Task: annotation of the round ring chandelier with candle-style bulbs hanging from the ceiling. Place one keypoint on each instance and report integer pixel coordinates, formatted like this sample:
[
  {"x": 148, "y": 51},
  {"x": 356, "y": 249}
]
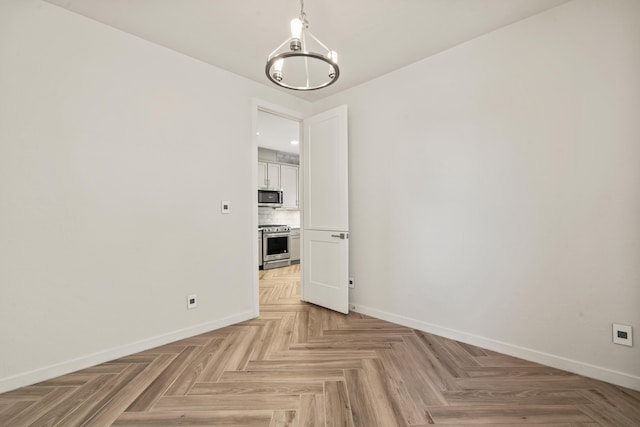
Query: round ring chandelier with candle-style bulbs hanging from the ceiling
[{"x": 296, "y": 63}]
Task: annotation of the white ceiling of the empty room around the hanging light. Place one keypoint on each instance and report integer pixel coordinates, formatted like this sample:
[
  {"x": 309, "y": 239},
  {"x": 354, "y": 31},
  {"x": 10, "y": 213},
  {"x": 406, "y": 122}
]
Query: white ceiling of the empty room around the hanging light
[{"x": 372, "y": 37}]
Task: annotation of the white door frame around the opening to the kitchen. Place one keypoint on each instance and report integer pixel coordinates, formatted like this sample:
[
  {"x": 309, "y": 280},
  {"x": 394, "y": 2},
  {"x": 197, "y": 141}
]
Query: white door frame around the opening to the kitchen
[{"x": 287, "y": 113}]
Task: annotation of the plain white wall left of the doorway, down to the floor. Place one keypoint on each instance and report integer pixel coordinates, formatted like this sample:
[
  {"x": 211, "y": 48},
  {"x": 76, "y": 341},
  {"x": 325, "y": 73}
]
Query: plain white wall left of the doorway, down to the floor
[{"x": 114, "y": 156}]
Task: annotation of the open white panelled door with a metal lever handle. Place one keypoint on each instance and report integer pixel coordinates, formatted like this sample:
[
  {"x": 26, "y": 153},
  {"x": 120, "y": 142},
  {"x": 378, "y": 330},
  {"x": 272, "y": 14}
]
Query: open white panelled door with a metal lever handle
[{"x": 325, "y": 233}]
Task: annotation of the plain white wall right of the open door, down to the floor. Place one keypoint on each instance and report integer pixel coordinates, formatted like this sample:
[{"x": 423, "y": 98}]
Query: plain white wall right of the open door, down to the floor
[{"x": 495, "y": 190}]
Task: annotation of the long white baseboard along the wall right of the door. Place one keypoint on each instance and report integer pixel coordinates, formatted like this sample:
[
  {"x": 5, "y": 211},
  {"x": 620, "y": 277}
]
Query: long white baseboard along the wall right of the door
[{"x": 574, "y": 366}]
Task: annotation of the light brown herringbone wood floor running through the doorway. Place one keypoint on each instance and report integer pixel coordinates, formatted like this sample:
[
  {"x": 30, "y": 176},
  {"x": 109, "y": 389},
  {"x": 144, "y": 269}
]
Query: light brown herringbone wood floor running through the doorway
[{"x": 301, "y": 365}]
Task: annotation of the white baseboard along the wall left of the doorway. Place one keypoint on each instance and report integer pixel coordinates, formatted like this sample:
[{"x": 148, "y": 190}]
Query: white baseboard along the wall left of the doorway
[{"x": 82, "y": 362}]
